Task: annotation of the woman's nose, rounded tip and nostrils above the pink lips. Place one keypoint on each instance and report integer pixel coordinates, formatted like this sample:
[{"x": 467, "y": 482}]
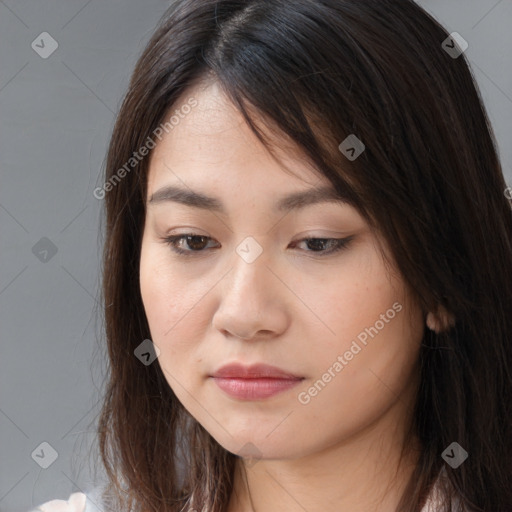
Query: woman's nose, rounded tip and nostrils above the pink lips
[{"x": 253, "y": 302}]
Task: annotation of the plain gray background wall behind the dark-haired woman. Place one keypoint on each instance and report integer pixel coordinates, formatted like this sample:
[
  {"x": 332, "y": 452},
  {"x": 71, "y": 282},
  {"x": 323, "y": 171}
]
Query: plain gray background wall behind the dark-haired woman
[{"x": 56, "y": 116}]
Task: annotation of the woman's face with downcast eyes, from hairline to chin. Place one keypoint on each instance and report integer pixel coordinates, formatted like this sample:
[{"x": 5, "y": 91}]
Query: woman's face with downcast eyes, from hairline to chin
[{"x": 254, "y": 290}]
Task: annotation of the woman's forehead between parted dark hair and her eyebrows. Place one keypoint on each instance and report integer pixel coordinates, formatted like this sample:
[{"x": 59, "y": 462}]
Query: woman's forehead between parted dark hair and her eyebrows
[{"x": 213, "y": 142}]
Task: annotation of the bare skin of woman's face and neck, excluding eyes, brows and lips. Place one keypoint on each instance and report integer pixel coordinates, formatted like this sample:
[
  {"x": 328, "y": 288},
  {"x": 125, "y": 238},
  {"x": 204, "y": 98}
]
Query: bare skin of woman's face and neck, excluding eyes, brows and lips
[{"x": 291, "y": 308}]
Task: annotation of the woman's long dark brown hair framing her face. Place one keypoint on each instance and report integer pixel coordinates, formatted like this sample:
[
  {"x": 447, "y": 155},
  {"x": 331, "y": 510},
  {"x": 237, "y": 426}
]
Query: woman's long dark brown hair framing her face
[{"x": 429, "y": 180}]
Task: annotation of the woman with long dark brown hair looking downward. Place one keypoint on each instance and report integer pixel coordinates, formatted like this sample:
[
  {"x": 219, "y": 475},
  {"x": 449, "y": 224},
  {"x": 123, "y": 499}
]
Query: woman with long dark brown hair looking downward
[{"x": 307, "y": 266}]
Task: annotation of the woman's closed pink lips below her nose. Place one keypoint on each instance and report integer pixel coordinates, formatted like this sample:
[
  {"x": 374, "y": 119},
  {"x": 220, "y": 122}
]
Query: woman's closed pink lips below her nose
[{"x": 254, "y": 382}]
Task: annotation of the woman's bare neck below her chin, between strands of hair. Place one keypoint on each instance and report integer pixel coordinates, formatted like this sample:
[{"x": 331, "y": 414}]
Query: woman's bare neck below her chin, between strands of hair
[{"x": 356, "y": 475}]
